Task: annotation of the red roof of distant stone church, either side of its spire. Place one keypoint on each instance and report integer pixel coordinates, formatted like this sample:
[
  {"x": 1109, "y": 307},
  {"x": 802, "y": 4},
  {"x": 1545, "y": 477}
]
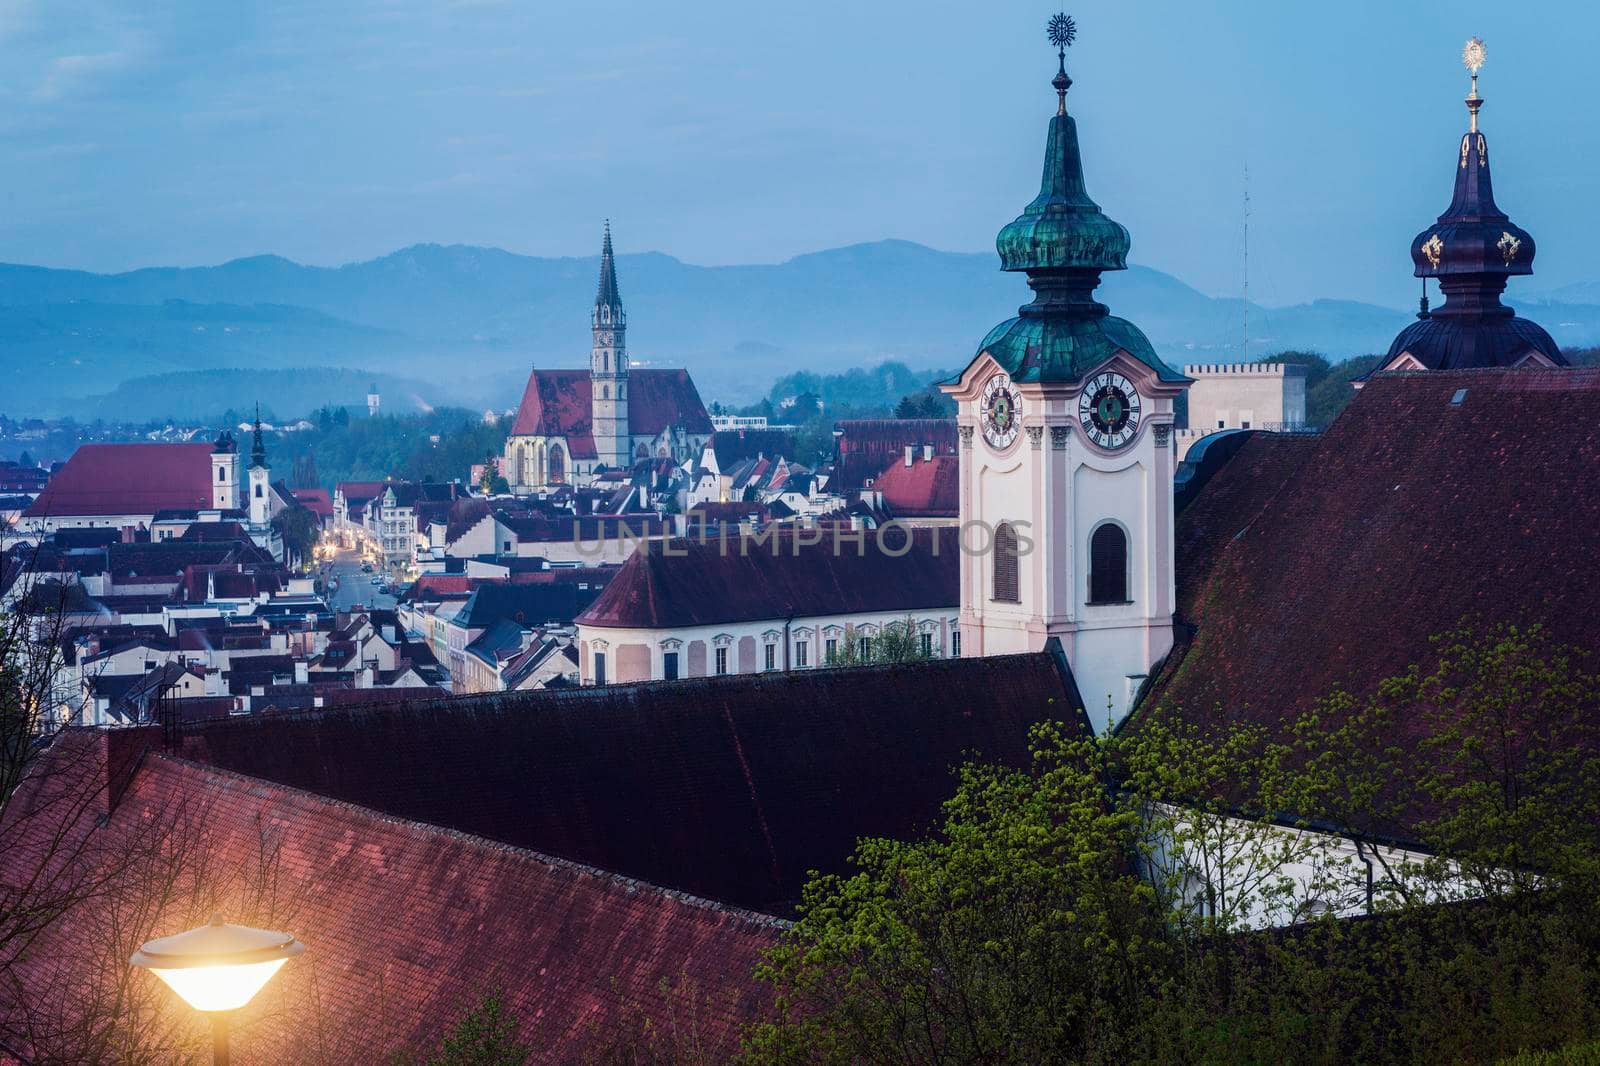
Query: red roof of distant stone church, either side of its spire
[{"x": 559, "y": 404}]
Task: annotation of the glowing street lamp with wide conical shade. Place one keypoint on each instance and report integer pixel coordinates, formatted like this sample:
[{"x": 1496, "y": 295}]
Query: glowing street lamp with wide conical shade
[{"x": 217, "y": 969}]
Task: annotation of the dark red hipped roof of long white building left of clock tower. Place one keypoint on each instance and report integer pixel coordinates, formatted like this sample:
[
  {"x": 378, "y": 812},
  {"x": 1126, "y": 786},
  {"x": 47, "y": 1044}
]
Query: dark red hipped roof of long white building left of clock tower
[{"x": 791, "y": 574}]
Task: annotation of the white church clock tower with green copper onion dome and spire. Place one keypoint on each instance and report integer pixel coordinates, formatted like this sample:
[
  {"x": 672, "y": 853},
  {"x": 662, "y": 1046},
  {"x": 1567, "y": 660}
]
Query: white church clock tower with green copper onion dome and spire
[{"x": 1066, "y": 419}]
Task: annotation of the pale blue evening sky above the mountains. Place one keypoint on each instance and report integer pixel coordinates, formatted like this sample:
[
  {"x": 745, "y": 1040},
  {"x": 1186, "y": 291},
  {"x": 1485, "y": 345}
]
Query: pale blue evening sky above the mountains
[{"x": 193, "y": 132}]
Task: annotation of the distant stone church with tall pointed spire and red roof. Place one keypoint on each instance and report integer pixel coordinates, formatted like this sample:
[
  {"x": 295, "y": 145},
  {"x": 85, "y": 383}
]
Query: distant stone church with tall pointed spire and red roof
[{"x": 572, "y": 423}]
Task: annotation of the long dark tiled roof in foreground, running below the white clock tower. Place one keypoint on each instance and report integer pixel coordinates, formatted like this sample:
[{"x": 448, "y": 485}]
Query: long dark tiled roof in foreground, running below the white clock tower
[{"x": 730, "y": 788}]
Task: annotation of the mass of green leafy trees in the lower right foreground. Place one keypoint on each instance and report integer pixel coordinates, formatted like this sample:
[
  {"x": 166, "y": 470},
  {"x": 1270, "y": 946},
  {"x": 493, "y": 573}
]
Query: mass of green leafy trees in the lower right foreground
[{"x": 1105, "y": 902}]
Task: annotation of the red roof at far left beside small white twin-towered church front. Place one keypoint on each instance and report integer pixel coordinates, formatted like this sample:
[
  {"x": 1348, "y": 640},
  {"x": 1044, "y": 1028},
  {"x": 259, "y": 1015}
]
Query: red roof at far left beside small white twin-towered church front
[{"x": 134, "y": 479}]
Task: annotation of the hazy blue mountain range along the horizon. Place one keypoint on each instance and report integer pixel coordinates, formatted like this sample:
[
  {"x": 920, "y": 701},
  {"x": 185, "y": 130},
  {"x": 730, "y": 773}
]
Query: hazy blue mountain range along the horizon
[{"x": 465, "y": 324}]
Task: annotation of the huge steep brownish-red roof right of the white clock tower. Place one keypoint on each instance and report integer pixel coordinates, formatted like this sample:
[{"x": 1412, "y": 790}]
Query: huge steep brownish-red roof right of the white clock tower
[{"x": 1409, "y": 516}]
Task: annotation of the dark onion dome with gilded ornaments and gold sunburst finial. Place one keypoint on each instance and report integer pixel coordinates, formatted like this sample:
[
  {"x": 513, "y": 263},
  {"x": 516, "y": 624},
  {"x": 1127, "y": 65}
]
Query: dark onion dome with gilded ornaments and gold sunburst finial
[{"x": 1473, "y": 250}]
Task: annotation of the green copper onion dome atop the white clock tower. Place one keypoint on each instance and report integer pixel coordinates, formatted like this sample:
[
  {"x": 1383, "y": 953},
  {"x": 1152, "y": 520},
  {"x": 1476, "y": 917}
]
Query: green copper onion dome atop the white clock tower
[{"x": 1063, "y": 241}]
